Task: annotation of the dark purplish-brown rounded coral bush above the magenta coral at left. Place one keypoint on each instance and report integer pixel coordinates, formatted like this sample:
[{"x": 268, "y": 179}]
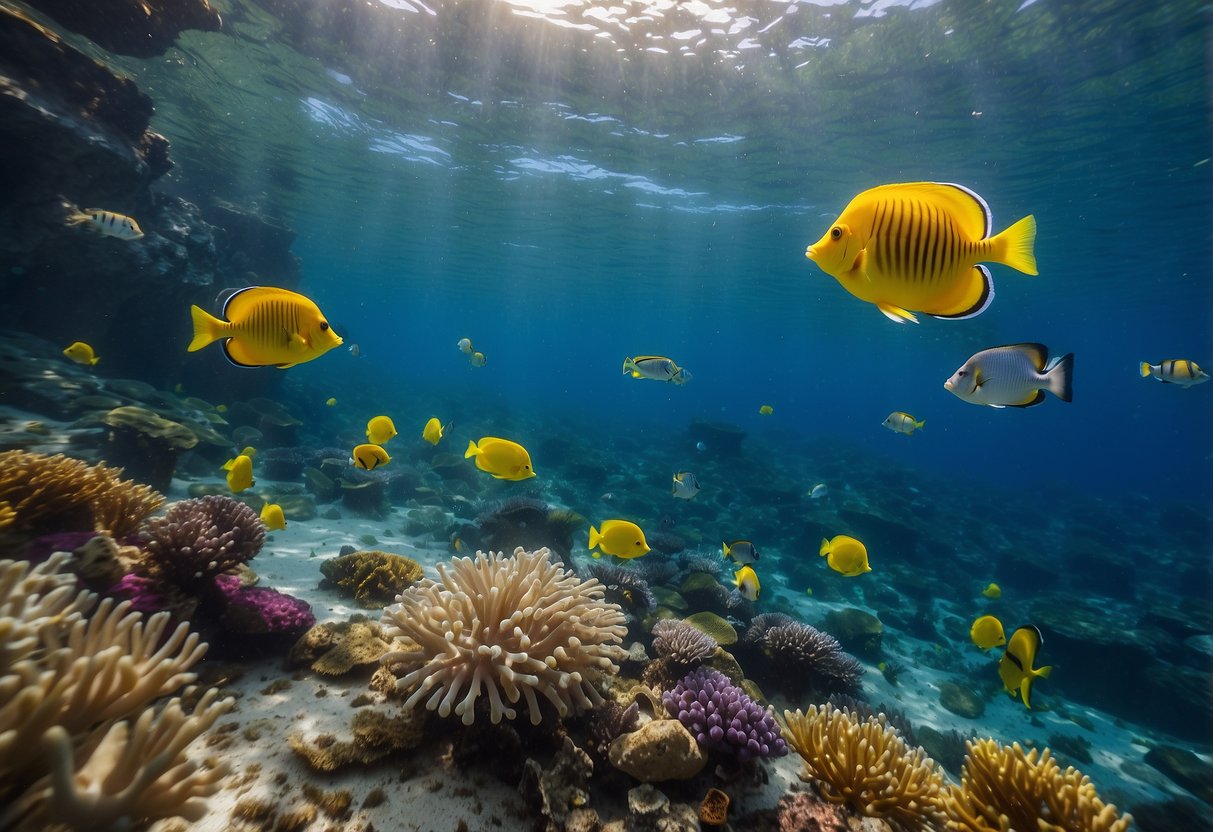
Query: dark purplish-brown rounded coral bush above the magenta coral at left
[{"x": 198, "y": 540}]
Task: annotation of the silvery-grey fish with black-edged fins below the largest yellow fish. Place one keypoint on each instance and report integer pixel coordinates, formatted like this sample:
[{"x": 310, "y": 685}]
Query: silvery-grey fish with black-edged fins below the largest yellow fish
[{"x": 1013, "y": 377}]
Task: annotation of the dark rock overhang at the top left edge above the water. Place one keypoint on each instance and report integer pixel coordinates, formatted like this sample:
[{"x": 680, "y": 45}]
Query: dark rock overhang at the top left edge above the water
[{"x": 139, "y": 29}]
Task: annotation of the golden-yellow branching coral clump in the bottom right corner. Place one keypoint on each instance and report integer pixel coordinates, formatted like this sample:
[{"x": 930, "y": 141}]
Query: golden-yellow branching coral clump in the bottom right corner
[{"x": 1004, "y": 789}]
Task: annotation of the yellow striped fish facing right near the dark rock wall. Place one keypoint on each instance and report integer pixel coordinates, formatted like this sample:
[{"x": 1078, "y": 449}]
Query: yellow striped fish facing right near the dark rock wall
[{"x": 266, "y": 327}]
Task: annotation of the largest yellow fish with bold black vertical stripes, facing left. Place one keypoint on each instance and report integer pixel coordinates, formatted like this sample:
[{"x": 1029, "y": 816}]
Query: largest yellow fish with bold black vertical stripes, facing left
[{"x": 916, "y": 247}]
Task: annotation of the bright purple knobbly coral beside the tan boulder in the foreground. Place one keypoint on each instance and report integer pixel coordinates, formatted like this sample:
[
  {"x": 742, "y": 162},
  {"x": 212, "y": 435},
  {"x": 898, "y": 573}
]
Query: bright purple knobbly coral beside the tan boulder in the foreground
[{"x": 722, "y": 717}]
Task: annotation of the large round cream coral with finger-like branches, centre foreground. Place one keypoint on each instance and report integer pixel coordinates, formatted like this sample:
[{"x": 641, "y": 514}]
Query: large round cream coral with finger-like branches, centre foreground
[{"x": 517, "y": 625}]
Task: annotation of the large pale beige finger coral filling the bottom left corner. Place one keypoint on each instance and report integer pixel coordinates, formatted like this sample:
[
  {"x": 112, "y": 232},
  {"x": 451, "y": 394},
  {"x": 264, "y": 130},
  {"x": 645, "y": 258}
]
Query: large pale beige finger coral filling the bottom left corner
[{"x": 81, "y": 744}]
